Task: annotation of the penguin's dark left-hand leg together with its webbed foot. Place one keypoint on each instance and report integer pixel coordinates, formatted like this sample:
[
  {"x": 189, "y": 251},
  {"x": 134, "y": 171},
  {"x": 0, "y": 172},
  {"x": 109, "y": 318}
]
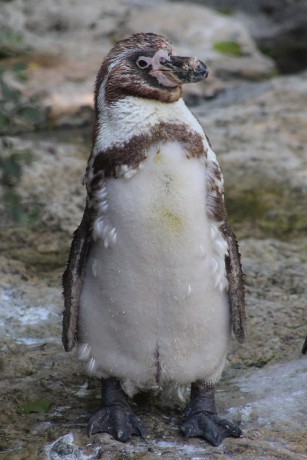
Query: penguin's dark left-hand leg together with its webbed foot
[{"x": 116, "y": 416}]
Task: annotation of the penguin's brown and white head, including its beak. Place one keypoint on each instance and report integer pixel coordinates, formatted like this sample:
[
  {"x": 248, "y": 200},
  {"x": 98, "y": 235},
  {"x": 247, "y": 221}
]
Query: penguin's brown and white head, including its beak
[{"x": 145, "y": 65}]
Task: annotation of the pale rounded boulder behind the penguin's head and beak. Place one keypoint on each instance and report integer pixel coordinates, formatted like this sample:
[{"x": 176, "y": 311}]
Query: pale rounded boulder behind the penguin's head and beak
[{"x": 200, "y": 30}]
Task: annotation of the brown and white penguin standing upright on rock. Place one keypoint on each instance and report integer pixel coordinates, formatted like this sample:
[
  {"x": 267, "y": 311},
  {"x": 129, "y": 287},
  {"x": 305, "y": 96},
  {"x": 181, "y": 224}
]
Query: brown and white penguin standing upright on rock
[{"x": 154, "y": 284}]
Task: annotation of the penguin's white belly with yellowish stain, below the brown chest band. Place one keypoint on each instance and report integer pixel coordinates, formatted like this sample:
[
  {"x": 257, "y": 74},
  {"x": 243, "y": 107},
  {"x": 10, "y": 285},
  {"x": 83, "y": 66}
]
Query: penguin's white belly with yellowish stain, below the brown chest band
[{"x": 153, "y": 312}]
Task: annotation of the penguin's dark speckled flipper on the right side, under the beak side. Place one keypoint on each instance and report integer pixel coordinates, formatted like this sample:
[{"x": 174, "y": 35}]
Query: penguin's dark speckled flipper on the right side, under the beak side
[{"x": 236, "y": 283}]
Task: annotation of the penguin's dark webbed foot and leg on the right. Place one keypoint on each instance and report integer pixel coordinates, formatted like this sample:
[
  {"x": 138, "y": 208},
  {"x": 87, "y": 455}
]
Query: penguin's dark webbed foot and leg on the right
[{"x": 202, "y": 419}]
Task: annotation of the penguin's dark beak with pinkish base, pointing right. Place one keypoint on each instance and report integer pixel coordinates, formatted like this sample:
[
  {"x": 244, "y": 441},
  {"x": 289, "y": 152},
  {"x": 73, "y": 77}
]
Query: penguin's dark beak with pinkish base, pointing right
[{"x": 182, "y": 70}]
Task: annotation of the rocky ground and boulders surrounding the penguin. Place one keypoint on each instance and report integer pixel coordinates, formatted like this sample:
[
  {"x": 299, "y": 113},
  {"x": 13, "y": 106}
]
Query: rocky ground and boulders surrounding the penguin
[{"x": 256, "y": 121}]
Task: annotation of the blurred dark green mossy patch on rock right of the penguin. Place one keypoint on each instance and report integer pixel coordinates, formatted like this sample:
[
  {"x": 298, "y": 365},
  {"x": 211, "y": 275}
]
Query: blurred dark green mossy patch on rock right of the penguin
[{"x": 272, "y": 210}]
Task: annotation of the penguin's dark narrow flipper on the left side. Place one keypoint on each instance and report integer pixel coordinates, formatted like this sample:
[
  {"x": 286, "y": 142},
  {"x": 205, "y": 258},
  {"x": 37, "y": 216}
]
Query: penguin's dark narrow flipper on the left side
[{"x": 72, "y": 280}]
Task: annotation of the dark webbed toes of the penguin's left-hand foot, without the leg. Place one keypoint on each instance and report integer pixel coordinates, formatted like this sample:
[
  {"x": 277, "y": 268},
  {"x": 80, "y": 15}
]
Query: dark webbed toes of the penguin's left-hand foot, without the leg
[{"x": 117, "y": 420}]
